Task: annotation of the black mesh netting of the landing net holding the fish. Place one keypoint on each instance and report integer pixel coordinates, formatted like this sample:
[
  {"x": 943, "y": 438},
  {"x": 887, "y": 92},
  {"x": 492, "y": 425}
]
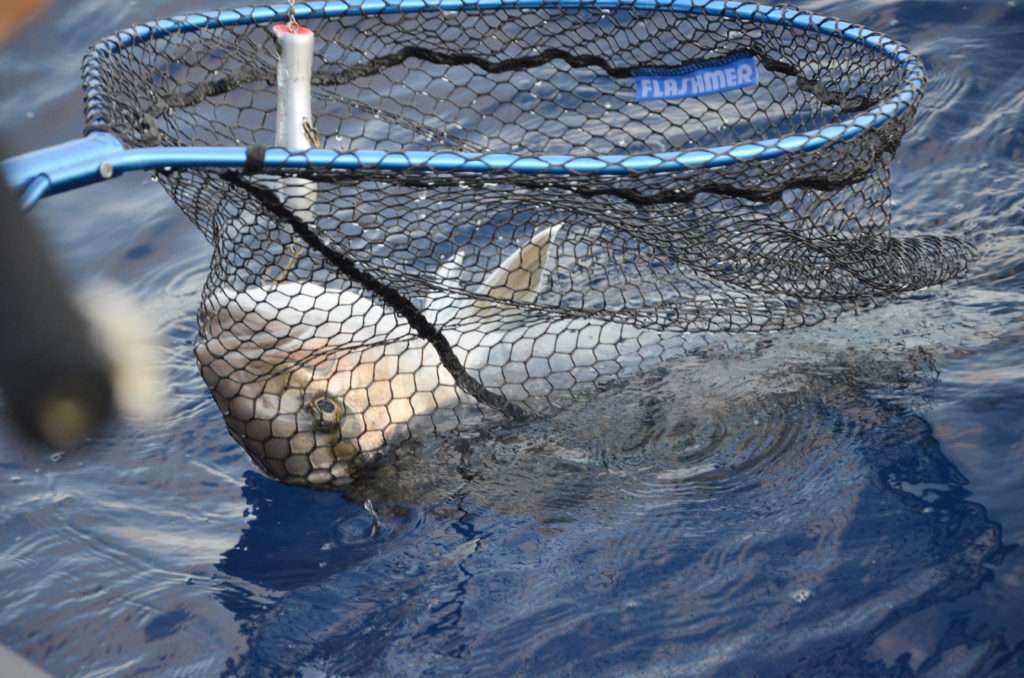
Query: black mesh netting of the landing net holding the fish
[{"x": 345, "y": 309}]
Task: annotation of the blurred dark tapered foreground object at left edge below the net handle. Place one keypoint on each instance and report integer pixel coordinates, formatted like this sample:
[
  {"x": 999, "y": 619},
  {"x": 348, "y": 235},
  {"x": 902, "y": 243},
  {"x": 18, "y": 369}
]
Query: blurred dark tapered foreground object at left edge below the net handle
[{"x": 55, "y": 380}]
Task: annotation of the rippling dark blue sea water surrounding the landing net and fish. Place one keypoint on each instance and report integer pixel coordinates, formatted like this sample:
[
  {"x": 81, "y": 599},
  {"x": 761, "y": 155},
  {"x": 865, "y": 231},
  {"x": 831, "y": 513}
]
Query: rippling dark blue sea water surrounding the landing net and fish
[{"x": 843, "y": 501}]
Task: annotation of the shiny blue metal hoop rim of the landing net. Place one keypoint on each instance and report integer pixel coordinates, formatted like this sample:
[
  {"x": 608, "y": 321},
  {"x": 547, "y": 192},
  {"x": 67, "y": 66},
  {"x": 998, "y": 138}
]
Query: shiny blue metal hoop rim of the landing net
[{"x": 892, "y": 109}]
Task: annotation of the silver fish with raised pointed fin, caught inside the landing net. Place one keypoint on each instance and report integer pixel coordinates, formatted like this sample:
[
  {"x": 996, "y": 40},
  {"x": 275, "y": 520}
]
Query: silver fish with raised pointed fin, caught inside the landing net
[{"x": 315, "y": 382}]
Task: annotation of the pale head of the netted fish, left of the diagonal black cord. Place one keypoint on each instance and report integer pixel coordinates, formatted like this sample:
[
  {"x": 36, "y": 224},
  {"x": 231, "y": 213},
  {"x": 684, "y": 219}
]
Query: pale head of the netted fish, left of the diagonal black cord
[{"x": 306, "y": 389}]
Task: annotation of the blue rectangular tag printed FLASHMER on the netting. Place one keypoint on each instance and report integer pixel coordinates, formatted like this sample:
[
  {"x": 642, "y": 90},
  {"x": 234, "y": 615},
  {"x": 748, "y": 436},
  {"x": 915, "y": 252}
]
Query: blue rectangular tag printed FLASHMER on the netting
[{"x": 711, "y": 77}]
